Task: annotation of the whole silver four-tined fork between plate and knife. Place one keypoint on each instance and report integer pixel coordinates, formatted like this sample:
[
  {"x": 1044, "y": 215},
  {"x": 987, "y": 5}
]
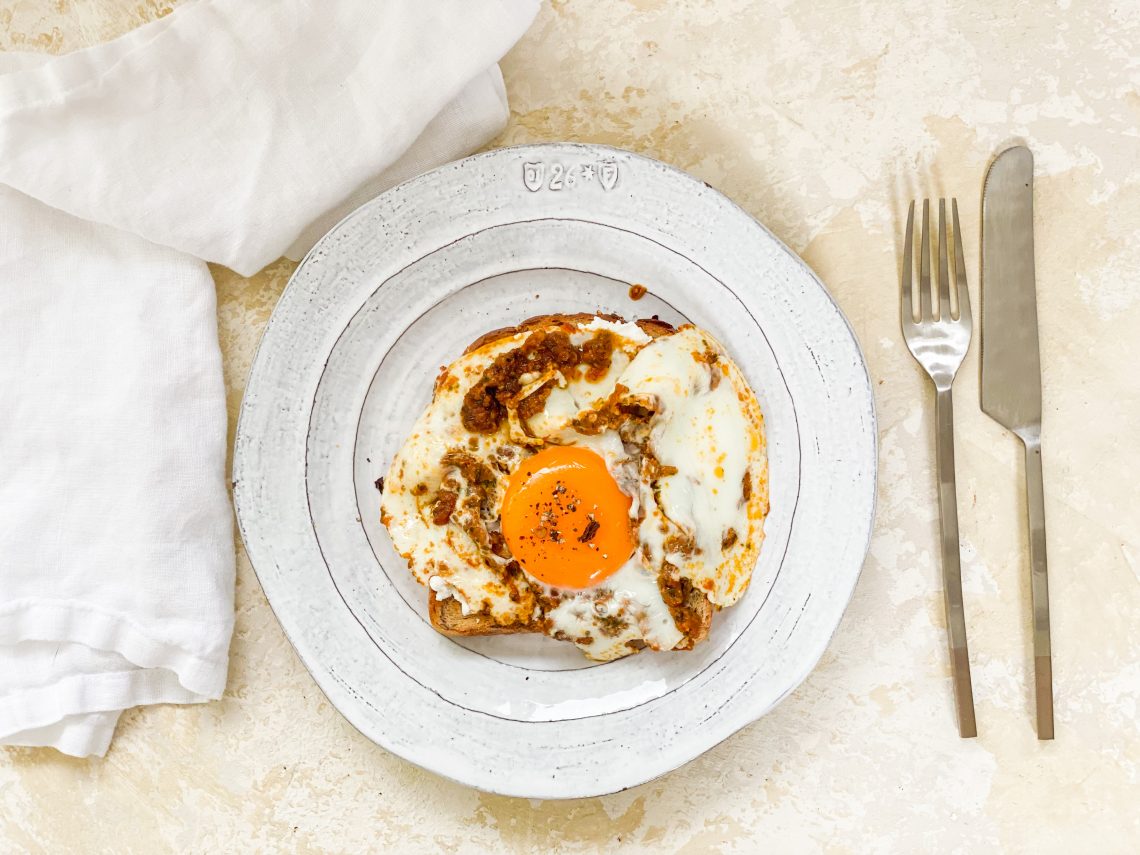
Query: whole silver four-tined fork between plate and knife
[{"x": 940, "y": 343}]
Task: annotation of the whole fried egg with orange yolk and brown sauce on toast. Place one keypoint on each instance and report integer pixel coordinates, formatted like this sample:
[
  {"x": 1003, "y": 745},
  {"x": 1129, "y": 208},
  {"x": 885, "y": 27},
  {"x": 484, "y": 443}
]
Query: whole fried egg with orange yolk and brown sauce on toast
[{"x": 575, "y": 474}]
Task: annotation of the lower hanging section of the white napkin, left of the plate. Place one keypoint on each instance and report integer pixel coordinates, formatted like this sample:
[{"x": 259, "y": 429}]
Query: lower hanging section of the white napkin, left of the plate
[{"x": 117, "y": 555}]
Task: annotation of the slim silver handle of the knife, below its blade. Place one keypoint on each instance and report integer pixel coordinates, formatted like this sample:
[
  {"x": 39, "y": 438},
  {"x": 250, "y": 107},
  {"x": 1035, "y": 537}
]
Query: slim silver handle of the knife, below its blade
[{"x": 1039, "y": 588}]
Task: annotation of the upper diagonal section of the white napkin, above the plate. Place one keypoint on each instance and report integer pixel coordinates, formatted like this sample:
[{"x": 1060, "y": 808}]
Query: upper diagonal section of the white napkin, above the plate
[{"x": 226, "y": 128}]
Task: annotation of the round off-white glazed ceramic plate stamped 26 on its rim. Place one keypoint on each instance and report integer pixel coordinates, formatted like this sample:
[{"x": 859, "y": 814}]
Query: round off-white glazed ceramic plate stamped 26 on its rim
[{"x": 347, "y": 365}]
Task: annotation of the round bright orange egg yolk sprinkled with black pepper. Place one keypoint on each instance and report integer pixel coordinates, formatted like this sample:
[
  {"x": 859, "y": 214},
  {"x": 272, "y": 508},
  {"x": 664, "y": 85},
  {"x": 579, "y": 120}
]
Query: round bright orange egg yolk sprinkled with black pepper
[{"x": 566, "y": 519}]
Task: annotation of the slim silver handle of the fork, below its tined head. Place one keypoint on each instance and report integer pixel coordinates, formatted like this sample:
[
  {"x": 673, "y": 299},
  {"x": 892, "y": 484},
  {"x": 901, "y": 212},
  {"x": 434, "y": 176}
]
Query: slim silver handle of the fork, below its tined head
[{"x": 952, "y": 565}]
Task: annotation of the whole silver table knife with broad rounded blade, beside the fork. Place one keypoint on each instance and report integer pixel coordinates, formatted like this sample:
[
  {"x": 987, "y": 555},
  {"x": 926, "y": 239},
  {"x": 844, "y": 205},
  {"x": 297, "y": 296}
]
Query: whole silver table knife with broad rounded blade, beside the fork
[{"x": 1012, "y": 371}]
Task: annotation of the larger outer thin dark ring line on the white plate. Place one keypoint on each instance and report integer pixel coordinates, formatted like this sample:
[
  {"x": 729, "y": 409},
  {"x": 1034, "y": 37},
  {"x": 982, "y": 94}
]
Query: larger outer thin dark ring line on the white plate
[{"x": 800, "y": 463}]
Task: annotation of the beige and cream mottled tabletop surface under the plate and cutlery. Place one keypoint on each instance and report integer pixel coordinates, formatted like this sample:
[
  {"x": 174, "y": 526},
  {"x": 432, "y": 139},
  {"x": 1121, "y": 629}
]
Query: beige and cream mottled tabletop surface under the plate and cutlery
[{"x": 823, "y": 120}]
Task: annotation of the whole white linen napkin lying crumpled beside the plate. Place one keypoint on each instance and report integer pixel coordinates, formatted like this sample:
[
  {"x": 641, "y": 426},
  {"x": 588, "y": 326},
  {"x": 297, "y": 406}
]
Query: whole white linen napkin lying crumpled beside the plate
[{"x": 231, "y": 132}]
